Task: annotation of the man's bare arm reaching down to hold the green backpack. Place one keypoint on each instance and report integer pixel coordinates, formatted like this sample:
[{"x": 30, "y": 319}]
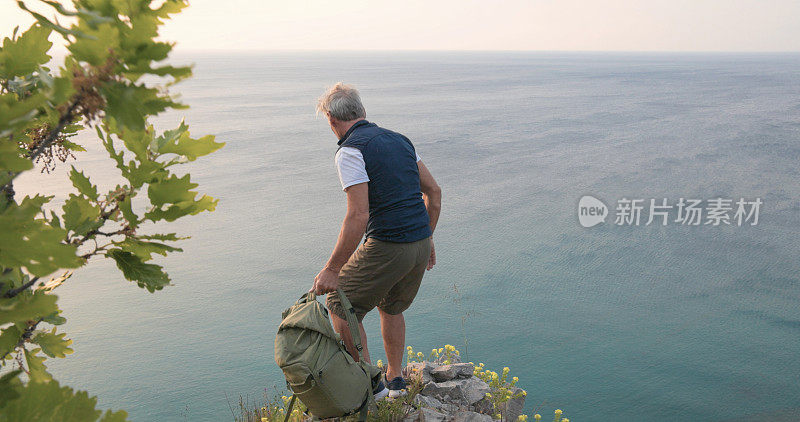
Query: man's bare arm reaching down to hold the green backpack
[{"x": 353, "y": 228}]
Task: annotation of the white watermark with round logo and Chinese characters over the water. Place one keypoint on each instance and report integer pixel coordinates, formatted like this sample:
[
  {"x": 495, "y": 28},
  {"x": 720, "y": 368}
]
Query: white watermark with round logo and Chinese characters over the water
[{"x": 662, "y": 211}]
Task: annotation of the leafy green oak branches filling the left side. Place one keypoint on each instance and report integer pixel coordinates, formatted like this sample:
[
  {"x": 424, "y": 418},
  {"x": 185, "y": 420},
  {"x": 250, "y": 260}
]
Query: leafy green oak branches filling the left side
[{"x": 112, "y": 46}]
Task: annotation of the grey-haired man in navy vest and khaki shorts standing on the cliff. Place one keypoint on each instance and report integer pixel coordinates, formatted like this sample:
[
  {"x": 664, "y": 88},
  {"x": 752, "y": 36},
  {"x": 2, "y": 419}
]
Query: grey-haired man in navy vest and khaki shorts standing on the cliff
[{"x": 394, "y": 200}]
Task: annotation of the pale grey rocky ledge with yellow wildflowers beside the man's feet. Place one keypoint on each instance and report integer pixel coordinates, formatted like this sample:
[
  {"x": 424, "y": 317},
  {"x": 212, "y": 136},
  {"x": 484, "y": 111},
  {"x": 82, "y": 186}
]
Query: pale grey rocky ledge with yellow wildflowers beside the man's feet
[{"x": 451, "y": 391}]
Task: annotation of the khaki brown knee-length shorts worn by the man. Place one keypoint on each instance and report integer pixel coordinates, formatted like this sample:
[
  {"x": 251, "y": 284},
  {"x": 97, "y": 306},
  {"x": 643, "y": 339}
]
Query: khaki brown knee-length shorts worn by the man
[{"x": 382, "y": 274}]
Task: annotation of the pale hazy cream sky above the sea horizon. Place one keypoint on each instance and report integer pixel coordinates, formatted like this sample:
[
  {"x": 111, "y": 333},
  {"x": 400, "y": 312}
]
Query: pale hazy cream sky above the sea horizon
[{"x": 646, "y": 25}]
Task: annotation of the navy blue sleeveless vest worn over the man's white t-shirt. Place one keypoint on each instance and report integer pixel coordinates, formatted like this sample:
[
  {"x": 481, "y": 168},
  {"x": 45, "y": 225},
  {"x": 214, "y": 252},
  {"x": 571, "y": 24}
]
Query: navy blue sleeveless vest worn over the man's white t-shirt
[{"x": 396, "y": 210}]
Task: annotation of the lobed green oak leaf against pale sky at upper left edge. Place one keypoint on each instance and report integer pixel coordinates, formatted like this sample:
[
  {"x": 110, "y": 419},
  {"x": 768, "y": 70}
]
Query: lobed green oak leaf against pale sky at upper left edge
[{"x": 24, "y": 55}]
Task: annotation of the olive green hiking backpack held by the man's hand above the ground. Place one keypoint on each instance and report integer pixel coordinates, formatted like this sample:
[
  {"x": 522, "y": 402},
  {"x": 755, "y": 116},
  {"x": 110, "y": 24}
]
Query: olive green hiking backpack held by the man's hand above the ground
[{"x": 318, "y": 369}]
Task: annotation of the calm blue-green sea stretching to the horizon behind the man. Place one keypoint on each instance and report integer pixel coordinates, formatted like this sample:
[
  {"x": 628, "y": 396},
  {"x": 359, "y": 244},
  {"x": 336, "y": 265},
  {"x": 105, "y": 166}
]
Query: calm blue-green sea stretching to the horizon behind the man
[{"x": 627, "y": 320}]
